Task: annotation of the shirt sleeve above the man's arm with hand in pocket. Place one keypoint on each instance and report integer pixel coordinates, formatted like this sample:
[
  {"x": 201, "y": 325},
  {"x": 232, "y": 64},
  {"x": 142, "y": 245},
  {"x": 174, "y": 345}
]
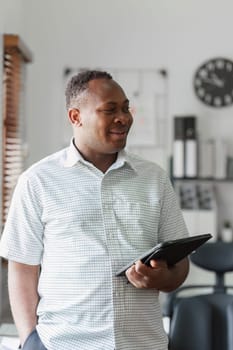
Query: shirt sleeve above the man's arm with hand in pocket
[{"x": 22, "y": 238}]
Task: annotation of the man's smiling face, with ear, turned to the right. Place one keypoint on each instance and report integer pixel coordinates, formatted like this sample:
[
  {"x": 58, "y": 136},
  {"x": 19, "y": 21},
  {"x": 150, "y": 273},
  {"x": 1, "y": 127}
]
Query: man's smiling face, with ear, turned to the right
[{"x": 105, "y": 119}]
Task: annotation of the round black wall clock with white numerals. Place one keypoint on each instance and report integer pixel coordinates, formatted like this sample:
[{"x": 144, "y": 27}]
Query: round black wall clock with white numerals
[{"x": 213, "y": 82}]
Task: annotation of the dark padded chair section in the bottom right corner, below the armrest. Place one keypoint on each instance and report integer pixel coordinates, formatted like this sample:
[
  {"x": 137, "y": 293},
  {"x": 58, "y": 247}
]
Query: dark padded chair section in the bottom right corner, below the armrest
[{"x": 202, "y": 323}]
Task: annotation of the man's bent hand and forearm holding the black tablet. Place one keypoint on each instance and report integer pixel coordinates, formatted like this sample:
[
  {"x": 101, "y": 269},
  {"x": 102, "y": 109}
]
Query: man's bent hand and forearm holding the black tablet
[{"x": 158, "y": 275}]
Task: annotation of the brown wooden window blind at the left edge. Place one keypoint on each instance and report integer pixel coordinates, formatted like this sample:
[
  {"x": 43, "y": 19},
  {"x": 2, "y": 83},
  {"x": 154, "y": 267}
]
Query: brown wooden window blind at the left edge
[{"x": 15, "y": 55}]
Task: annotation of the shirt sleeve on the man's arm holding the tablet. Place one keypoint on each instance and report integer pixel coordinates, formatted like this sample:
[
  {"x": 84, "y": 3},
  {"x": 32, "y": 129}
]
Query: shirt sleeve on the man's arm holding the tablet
[{"x": 171, "y": 225}]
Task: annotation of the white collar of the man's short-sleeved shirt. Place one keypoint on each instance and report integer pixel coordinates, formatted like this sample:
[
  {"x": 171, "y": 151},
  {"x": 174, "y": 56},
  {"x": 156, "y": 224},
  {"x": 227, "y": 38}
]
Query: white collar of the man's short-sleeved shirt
[{"x": 73, "y": 157}]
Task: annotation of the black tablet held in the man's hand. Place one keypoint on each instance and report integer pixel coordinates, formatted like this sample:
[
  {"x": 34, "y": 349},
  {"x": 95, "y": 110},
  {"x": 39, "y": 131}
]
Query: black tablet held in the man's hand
[{"x": 171, "y": 251}]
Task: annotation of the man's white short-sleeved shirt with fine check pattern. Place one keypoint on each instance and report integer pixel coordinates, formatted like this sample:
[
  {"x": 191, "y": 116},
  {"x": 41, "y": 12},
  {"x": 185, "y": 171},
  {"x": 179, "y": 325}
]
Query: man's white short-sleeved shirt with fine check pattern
[{"x": 81, "y": 226}]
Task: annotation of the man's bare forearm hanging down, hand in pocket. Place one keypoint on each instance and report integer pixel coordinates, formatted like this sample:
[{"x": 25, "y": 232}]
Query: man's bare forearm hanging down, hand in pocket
[{"x": 22, "y": 284}]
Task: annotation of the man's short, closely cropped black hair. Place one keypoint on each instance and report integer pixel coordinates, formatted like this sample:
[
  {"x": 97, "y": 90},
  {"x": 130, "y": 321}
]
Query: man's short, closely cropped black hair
[{"x": 79, "y": 83}]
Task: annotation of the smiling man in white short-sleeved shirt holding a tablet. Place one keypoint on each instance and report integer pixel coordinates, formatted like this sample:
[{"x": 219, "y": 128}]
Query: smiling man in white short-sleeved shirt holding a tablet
[{"x": 76, "y": 218}]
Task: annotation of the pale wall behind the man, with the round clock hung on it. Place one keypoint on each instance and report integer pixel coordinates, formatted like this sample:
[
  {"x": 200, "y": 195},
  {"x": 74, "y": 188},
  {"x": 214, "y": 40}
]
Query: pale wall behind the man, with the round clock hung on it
[{"x": 176, "y": 34}]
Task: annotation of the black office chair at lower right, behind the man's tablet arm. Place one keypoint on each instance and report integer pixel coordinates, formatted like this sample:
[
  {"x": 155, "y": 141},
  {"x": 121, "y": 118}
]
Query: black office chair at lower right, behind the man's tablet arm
[{"x": 204, "y": 321}]
